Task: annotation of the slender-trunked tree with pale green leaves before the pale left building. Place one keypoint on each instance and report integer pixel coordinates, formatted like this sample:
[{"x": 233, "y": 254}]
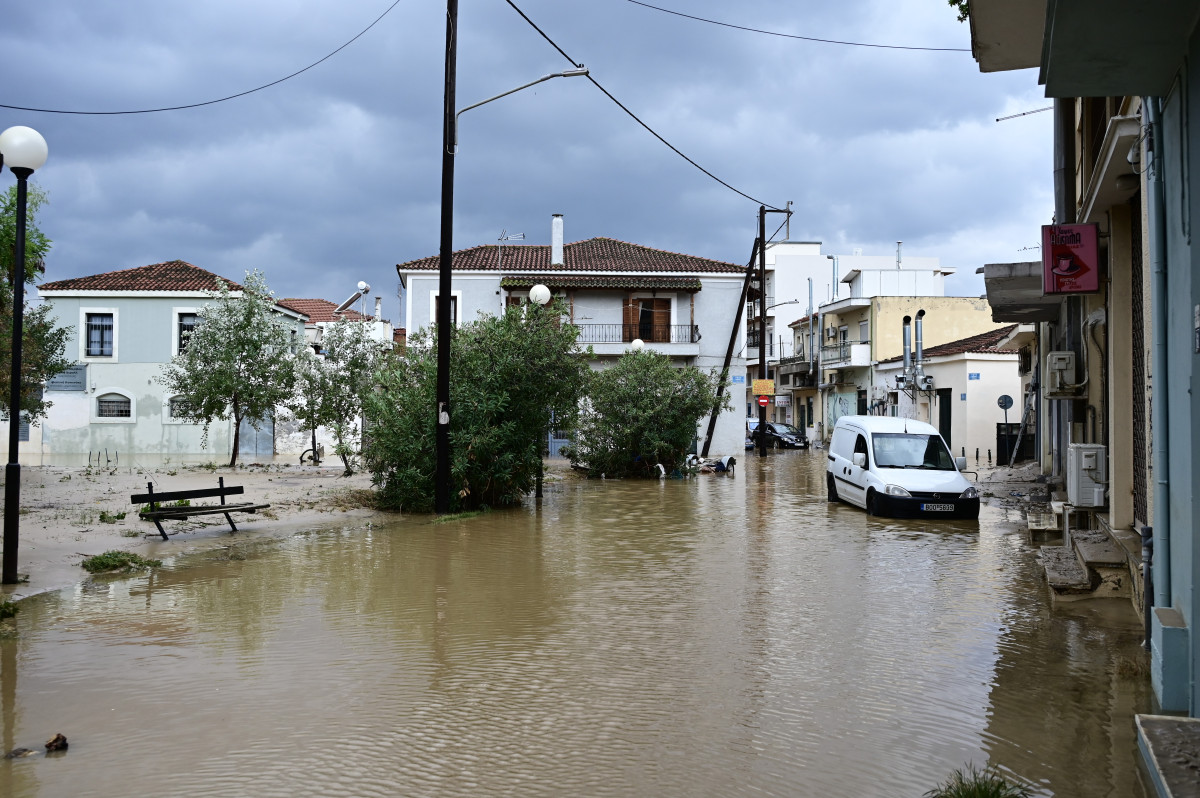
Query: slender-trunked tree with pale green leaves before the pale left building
[{"x": 239, "y": 359}]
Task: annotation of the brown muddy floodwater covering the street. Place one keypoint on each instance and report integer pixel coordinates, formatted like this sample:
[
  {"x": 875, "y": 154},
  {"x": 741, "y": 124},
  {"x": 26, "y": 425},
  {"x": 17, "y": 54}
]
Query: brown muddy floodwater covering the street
[{"x": 717, "y": 637}]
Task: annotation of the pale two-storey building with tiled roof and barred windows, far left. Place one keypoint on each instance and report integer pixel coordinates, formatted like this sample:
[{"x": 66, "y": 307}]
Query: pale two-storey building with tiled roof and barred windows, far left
[{"x": 129, "y": 325}]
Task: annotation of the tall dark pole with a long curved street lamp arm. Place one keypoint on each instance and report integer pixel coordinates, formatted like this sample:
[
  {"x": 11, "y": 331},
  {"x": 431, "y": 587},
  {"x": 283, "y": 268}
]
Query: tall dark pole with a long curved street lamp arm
[{"x": 446, "y": 262}]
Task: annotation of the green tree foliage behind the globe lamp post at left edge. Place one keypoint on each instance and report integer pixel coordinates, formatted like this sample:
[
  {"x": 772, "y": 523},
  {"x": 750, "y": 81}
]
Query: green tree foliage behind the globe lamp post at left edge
[{"x": 44, "y": 346}]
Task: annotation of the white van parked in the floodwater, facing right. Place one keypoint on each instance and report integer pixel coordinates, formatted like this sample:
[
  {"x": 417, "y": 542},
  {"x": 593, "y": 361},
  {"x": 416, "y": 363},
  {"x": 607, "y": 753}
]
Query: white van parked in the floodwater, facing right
[{"x": 898, "y": 467}]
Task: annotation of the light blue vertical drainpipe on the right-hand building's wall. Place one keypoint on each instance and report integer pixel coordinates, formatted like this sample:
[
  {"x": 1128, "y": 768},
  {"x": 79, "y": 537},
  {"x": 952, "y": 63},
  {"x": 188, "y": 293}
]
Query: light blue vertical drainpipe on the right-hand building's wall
[{"x": 1156, "y": 215}]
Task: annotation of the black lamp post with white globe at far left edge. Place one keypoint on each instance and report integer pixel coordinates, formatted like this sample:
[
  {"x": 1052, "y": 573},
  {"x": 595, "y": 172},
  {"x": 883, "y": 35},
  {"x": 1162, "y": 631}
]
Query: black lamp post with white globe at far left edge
[{"x": 25, "y": 152}]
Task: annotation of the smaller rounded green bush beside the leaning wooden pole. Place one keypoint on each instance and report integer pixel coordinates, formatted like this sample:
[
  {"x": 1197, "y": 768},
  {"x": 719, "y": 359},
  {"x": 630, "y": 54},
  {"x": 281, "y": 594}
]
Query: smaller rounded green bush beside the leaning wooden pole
[{"x": 641, "y": 412}]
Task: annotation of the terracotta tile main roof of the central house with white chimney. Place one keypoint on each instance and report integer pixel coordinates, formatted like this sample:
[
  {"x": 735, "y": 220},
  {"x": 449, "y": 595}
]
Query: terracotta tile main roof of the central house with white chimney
[{"x": 599, "y": 255}]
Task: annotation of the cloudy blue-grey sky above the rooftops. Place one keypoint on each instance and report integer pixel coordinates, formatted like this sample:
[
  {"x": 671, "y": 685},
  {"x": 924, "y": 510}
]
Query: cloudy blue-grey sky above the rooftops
[{"x": 334, "y": 176}]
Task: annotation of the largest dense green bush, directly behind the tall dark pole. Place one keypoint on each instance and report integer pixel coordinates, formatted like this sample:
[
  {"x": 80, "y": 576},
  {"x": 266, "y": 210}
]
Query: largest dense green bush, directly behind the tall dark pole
[{"x": 508, "y": 376}]
